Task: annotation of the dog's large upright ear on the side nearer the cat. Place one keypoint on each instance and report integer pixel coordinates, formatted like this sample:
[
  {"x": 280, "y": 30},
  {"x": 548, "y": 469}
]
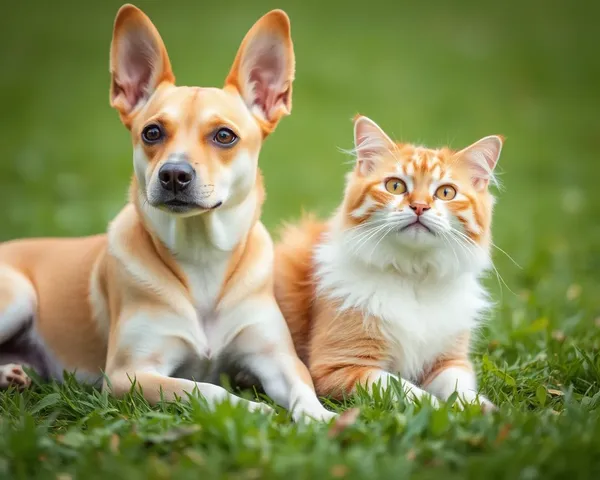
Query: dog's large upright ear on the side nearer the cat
[{"x": 263, "y": 69}]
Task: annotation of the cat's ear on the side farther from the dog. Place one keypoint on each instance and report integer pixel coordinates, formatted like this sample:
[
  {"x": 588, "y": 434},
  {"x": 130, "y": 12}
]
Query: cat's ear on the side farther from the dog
[{"x": 481, "y": 159}]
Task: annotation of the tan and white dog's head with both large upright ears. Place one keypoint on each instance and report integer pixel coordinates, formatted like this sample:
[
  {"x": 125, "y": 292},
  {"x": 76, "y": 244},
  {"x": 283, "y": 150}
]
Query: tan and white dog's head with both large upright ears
[{"x": 195, "y": 148}]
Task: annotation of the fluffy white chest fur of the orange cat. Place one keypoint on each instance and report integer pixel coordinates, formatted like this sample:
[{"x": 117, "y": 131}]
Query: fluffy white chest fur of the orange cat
[{"x": 419, "y": 317}]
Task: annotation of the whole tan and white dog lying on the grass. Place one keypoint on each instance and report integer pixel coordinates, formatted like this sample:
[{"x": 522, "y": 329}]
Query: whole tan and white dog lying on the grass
[{"x": 181, "y": 287}]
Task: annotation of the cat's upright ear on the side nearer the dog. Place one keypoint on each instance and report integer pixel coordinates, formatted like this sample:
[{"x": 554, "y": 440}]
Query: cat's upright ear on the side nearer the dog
[{"x": 371, "y": 143}]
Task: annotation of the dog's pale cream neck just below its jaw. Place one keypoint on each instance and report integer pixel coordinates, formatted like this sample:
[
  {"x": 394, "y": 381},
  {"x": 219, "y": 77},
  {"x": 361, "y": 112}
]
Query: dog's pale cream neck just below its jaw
[{"x": 197, "y": 239}]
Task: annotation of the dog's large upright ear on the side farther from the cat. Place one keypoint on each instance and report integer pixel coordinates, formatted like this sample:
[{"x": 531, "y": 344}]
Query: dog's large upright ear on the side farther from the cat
[{"x": 138, "y": 61}]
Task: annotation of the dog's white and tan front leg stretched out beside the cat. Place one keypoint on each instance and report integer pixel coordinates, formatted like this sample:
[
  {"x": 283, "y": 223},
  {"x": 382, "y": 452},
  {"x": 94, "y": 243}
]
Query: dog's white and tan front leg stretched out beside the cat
[{"x": 264, "y": 346}]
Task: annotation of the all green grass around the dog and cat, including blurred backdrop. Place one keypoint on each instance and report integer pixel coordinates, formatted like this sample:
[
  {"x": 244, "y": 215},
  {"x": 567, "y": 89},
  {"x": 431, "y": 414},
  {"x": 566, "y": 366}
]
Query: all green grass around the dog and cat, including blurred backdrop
[{"x": 431, "y": 72}]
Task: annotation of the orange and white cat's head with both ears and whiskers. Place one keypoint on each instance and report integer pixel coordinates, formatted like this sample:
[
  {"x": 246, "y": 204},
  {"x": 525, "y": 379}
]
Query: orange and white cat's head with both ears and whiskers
[{"x": 403, "y": 199}]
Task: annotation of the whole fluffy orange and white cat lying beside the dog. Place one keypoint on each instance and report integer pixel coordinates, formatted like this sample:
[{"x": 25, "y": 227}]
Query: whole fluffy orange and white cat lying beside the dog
[{"x": 389, "y": 287}]
